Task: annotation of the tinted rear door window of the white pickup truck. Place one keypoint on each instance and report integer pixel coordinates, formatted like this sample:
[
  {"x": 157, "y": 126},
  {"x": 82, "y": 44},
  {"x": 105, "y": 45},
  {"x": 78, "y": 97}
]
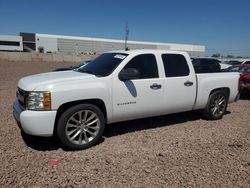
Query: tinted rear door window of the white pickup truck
[{"x": 175, "y": 65}]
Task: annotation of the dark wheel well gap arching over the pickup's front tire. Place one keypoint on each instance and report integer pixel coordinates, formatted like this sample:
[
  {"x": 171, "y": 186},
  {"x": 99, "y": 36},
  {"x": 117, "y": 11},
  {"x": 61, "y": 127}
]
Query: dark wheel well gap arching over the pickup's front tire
[{"x": 97, "y": 102}]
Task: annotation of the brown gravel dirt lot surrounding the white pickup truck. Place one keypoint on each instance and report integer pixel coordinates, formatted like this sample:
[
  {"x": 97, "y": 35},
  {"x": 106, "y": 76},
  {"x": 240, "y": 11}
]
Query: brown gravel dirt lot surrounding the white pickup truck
[{"x": 180, "y": 150}]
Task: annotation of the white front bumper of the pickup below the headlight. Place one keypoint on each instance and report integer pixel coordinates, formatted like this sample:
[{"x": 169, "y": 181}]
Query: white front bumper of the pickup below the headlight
[{"x": 37, "y": 123}]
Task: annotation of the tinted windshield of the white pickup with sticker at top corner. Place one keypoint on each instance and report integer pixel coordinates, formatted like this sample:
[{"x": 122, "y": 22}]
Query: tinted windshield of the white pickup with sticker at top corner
[{"x": 104, "y": 64}]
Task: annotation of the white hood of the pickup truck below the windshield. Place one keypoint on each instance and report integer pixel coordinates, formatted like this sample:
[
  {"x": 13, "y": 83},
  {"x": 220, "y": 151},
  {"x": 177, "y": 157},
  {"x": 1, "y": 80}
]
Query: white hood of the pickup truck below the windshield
[{"x": 30, "y": 83}]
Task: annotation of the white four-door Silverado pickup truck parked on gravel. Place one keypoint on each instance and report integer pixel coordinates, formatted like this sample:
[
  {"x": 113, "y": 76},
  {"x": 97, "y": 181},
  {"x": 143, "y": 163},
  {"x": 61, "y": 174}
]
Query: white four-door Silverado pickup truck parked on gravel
[{"x": 118, "y": 86}]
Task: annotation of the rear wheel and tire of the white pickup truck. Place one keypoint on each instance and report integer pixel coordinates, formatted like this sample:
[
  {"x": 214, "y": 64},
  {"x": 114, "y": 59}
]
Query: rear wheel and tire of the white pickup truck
[{"x": 216, "y": 106}]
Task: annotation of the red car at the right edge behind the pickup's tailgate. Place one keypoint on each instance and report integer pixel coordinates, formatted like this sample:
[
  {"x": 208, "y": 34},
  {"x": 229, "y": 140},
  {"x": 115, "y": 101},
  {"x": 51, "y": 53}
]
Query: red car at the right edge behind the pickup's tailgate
[{"x": 244, "y": 70}]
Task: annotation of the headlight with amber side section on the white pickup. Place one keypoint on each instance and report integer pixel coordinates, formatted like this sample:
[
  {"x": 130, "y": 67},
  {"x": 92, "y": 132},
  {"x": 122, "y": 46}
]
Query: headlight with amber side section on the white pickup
[{"x": 39, "y": 100}]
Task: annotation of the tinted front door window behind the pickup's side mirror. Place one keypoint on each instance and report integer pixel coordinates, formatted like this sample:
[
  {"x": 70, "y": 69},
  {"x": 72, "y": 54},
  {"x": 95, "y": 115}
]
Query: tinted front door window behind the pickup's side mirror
[{"x": 146, "y": 65}]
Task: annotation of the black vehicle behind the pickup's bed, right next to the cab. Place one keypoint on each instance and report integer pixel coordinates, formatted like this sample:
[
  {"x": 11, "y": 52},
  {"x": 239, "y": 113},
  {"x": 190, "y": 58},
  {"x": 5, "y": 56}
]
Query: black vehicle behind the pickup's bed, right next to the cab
[{"x": 206, "y": 65}]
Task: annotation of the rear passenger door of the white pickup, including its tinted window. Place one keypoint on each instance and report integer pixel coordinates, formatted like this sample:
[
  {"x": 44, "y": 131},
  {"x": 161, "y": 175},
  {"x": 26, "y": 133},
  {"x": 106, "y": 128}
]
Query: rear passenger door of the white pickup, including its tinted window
[{"x": 179, "y": 84}]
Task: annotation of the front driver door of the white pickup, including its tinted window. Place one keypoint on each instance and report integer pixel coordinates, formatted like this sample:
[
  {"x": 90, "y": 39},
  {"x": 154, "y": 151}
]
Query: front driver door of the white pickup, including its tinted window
[{"x": 142, "y": 97}]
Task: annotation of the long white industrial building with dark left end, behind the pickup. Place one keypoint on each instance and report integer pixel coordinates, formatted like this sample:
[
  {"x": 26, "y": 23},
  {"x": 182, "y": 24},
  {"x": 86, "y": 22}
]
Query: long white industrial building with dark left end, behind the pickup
[{"x": 88, "y": 45}]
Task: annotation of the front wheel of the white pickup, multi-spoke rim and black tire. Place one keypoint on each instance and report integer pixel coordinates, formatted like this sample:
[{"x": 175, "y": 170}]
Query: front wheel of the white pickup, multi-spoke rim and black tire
[{"x": 81, "y": 126}]
